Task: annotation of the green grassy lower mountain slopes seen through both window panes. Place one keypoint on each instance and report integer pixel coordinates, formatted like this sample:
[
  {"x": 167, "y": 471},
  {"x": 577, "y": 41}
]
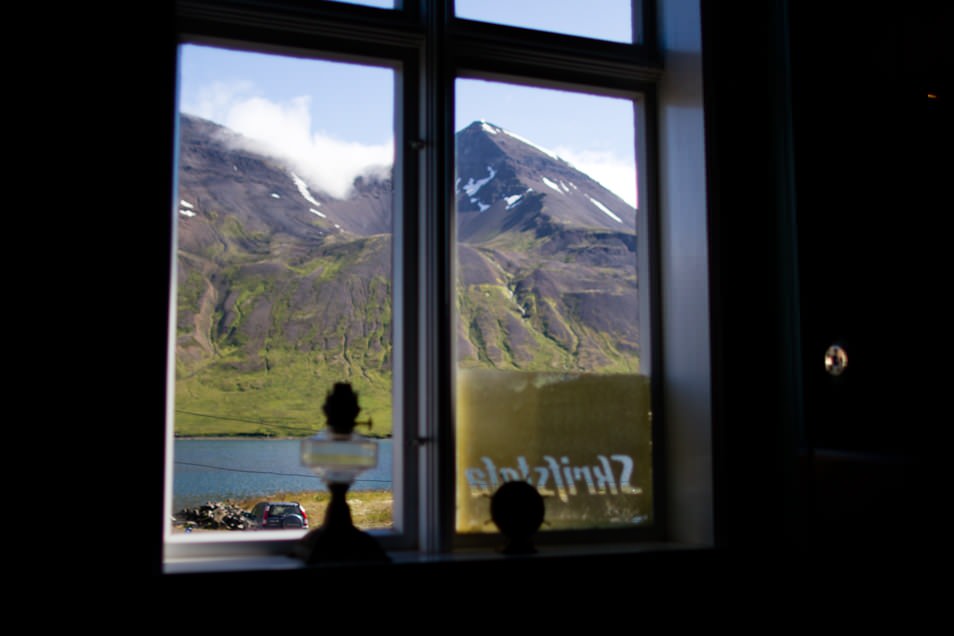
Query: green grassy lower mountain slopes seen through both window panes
[{"x": 275, "y": 385}]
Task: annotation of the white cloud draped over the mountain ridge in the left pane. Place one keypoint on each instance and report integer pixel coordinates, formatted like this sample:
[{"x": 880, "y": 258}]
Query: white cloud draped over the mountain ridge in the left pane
[{"x": 285, "y": 130}]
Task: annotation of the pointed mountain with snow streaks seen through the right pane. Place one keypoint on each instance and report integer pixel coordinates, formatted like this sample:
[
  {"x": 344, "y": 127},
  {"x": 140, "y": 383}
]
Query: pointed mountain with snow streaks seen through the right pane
[{"x": 546, "y": 260}]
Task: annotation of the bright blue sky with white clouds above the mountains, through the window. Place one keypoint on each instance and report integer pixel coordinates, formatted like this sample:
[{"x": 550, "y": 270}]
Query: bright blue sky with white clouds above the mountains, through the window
[{"x": 335, "y": 120}]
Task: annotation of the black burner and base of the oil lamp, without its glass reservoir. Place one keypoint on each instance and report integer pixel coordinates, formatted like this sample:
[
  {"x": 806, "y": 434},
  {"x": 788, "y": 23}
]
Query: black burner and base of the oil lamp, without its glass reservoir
[{"x": 337, "y": 540}]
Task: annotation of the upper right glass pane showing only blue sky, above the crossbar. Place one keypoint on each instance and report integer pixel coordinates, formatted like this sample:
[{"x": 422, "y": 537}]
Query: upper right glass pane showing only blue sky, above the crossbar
[{"x": 601, "y": 19}]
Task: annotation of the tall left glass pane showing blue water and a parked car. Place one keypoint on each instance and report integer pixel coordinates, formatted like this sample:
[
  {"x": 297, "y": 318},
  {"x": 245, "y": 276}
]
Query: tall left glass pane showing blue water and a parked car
[{"x": 283, "y": 274}]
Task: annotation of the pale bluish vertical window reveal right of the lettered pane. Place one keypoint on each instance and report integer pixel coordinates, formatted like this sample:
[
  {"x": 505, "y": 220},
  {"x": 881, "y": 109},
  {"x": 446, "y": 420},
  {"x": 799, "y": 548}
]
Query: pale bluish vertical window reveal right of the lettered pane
[{"x": 684, "y": 265}]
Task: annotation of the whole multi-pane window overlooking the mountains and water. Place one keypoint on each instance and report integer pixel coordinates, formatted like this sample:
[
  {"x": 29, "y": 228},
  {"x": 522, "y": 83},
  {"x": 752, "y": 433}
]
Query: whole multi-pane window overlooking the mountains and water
[{"x": 449, "y": 318}]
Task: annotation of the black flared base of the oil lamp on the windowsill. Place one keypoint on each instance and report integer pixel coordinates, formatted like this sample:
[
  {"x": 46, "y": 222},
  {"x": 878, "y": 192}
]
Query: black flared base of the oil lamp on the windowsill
[{"x": 337, "y": 540}]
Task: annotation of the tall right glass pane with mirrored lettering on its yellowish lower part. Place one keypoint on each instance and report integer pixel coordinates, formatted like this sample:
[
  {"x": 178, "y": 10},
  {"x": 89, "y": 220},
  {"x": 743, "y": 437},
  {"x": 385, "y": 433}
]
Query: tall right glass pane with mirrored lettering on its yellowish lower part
[{"x": 550, "y": 386}]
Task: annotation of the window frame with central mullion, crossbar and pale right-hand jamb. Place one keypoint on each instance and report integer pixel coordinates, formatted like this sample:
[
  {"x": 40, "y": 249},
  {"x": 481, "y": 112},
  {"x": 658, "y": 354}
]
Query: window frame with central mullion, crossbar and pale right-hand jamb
[{"x": 666, "y": 71}]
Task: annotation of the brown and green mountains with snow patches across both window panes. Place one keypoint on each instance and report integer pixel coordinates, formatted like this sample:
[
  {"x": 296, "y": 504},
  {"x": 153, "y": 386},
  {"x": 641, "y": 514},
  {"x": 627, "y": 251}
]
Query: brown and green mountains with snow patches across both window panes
[{"x": 284, "y": 289}]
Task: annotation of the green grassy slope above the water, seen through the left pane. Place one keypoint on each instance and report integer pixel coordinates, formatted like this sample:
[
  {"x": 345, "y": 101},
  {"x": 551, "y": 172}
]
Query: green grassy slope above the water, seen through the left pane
[{"x": 275, "y": 384}]
